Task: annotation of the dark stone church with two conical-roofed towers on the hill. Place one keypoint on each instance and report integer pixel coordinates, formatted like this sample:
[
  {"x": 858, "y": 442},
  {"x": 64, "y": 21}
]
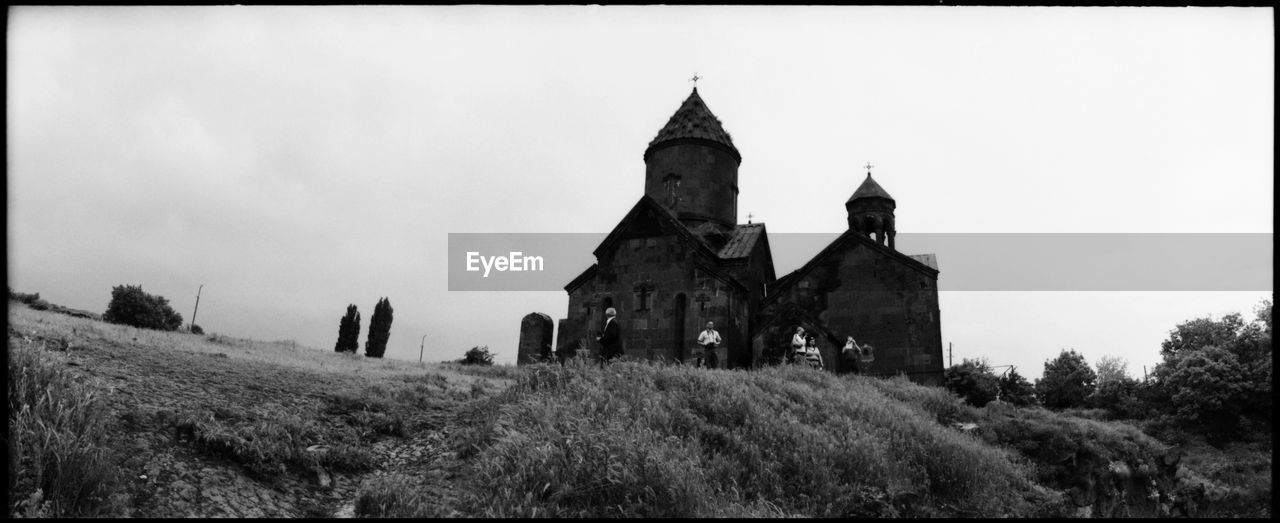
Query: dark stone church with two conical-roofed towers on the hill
[{"x": 679, "y": 259}]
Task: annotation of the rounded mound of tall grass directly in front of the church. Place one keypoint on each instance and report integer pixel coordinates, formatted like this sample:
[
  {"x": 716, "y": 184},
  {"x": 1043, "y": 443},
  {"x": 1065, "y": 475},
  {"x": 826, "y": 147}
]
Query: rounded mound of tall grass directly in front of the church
[{"x": 642, "y": 439}]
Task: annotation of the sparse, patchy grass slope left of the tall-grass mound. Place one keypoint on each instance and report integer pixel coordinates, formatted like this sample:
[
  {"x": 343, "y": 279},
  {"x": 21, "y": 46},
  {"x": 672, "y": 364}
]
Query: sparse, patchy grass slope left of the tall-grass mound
[{"x": 108, "y": 420}]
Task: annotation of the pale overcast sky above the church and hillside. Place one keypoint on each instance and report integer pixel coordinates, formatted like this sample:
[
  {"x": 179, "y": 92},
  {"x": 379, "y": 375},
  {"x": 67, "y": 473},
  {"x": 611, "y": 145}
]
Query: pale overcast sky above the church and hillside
[{"x": 295, "y": 160}]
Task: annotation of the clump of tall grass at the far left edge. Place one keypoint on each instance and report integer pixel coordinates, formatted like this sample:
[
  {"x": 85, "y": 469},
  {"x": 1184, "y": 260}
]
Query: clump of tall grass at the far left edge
[{"x": 61, "y": 464}]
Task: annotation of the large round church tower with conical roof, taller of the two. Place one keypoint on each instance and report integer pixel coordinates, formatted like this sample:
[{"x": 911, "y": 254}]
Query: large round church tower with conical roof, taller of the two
[{"x": 692, "y": 167}]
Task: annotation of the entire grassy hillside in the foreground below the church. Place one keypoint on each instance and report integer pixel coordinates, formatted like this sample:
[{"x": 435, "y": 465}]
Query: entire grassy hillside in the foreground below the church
[{"x": 108, "y": 420}]
